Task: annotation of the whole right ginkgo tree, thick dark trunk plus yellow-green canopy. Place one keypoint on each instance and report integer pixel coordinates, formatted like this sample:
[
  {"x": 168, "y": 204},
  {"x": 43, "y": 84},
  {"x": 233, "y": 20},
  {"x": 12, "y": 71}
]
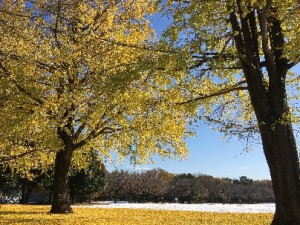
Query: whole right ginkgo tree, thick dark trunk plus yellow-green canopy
[{"x": 240, "y": 54}]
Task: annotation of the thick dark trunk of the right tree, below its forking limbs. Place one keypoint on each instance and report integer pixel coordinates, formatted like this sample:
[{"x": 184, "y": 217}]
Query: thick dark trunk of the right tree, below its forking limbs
[{"x": 271, "y": 109}]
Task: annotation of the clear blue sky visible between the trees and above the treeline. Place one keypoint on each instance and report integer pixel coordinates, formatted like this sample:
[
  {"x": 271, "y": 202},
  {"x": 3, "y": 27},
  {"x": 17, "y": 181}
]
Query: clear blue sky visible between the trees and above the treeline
[{"x": 209, "y": 153}]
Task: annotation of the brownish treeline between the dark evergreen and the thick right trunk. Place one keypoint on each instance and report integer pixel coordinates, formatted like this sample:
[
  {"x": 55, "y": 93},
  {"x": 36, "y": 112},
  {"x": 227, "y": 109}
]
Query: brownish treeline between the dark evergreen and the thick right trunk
[{"x": 160, "y": 186}]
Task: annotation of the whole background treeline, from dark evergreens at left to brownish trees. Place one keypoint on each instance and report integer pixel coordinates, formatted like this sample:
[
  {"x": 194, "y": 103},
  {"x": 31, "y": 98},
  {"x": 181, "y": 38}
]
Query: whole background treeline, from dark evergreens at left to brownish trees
[{"x": 147, "y": 186}]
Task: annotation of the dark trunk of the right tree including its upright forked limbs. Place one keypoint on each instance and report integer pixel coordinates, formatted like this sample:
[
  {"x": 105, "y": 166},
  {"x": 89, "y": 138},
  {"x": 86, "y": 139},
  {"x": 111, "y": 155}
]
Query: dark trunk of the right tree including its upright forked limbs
[{"x": 270, "y": 103}]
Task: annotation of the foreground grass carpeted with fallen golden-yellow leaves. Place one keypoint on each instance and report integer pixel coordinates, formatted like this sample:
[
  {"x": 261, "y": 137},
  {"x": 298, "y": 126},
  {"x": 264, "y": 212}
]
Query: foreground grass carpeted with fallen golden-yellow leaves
[{"x": 36, "y": 215}]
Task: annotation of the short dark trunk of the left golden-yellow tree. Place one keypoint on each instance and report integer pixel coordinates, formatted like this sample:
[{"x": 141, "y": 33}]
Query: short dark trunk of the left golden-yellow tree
[{"x": 61, "y": 193}]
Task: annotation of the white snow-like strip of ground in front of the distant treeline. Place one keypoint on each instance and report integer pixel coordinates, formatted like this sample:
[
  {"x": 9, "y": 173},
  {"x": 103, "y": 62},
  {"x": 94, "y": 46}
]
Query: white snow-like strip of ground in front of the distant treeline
[{"x": 208, "y": 207}]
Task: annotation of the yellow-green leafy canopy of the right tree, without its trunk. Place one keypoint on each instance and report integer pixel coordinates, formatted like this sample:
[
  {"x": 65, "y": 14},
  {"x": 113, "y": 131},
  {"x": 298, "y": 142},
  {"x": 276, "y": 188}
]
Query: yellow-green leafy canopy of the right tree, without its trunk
[{"x": 201, "y": 32}]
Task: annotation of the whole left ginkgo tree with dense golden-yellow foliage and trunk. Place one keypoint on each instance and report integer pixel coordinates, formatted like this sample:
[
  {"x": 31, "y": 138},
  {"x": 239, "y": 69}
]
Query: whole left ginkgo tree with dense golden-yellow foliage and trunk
[{"x": 81, "y": 75}]
